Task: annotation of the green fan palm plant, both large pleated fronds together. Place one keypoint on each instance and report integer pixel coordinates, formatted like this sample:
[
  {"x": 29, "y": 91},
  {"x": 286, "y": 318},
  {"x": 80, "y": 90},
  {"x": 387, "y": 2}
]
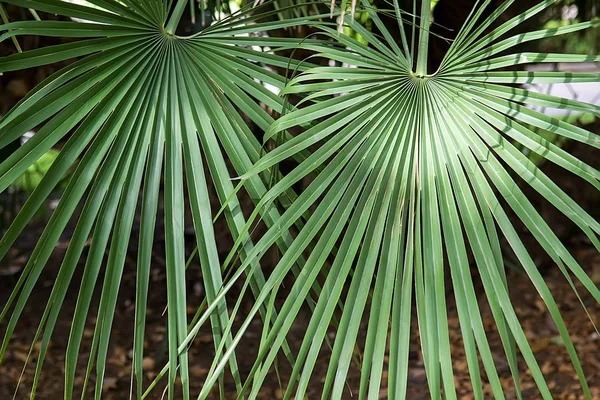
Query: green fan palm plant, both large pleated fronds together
[{"x": 415, "y": 175}]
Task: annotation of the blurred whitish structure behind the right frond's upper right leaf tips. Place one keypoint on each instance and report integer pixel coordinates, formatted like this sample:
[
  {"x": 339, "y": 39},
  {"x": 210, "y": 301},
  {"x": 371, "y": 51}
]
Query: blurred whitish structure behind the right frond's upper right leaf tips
[{"x": 585, "y": 92}]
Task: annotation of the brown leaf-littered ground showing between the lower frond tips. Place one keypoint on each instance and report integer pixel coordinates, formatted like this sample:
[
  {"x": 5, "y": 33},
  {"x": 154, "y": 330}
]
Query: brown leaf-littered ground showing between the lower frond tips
[{"x": 538, "y": 326}]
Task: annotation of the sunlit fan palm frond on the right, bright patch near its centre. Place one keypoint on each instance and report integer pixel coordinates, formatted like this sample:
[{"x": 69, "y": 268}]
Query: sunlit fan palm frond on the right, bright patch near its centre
[{"x": 419, "y": 171}]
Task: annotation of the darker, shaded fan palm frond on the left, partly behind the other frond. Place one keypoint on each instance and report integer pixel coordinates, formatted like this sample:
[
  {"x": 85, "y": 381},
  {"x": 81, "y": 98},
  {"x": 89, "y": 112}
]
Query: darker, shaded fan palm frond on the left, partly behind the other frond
[{"x": 141, "y": 103}]
